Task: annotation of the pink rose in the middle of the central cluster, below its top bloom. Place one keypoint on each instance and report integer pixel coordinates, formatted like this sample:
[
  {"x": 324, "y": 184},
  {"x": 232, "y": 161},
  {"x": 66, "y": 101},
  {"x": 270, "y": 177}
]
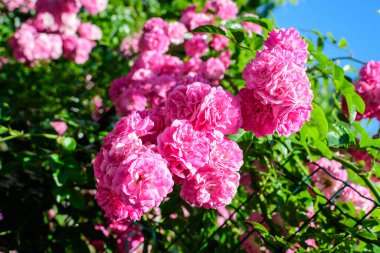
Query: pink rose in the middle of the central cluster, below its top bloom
[{"x": 184, "y": 148}]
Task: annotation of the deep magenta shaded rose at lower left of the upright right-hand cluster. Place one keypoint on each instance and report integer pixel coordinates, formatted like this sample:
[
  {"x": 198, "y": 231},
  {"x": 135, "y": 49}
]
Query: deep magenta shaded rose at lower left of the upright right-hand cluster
[{"x": 257, "y": 117}]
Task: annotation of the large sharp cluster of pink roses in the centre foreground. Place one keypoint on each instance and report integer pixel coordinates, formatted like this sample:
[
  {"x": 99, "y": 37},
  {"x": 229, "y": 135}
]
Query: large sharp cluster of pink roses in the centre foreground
[{"x": 183, "y": 142}]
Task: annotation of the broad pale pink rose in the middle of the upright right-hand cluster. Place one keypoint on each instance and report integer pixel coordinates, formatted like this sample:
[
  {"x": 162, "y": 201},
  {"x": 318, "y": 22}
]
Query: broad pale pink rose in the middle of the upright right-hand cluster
[{"x": 276, "y": 79}]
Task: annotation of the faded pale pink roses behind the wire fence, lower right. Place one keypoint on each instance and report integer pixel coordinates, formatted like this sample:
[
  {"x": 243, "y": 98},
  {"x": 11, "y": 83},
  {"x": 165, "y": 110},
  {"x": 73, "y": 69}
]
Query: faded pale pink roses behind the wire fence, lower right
[{"x": 329, "y": 186}]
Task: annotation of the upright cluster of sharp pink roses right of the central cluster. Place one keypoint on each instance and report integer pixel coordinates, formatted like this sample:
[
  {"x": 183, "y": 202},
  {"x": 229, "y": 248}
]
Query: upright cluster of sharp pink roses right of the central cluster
[{"x": 277, "y": 96}]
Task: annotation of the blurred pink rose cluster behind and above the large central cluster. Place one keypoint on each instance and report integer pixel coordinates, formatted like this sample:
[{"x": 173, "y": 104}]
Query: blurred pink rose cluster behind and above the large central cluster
[{"x": 156, "y": 69}]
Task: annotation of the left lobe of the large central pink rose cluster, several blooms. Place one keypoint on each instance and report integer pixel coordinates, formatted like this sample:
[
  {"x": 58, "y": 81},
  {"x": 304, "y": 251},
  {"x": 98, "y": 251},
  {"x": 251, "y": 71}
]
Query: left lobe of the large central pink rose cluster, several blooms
[{"x": 132, "y": 178}]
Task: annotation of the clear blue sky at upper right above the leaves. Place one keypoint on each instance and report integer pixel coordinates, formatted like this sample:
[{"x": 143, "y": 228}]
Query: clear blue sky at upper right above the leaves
[{"x": 357, "y": 21}]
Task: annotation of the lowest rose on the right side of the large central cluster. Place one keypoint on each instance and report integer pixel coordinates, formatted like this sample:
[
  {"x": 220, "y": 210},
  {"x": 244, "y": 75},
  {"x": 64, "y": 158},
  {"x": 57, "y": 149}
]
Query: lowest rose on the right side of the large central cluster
[{"x": 210, "y": 187}]
